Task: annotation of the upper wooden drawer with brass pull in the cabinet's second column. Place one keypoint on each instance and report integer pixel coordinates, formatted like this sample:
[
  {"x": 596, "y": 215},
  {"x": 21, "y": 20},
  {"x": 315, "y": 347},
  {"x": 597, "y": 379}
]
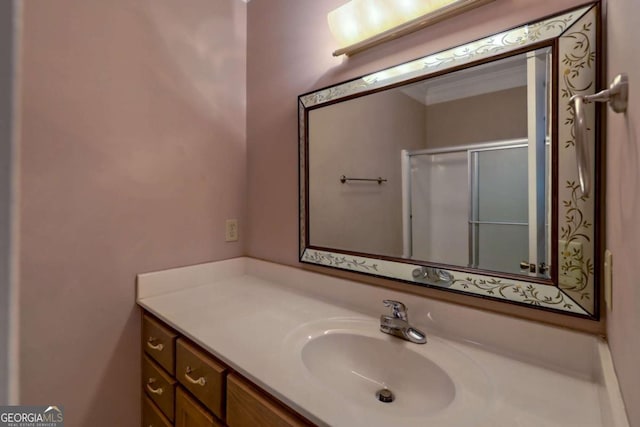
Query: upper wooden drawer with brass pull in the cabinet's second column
[{"x": 202, "y": 376}]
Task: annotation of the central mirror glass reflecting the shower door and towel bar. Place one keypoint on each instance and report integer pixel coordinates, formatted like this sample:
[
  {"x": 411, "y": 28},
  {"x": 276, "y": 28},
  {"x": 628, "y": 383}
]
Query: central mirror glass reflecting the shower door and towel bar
[{"x": 465, "y": 167}]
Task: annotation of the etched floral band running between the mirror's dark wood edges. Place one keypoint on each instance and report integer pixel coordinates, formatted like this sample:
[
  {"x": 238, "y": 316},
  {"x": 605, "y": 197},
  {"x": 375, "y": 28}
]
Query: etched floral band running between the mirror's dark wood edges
[{"x": 576, "y": 34}]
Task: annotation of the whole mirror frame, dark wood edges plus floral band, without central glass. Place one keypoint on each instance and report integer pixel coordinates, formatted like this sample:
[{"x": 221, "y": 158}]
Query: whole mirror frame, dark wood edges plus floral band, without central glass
[{"x": 575, "y": 40}]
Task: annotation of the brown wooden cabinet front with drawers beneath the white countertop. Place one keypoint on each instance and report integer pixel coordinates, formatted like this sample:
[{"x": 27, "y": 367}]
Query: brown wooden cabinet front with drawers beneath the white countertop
[{"x": 184, "y": 386}]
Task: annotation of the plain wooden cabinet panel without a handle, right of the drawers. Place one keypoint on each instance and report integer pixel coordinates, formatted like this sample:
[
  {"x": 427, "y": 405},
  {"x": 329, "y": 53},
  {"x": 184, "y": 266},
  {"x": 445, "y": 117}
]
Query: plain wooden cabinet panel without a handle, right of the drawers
[{"x": 248, "y": 407}]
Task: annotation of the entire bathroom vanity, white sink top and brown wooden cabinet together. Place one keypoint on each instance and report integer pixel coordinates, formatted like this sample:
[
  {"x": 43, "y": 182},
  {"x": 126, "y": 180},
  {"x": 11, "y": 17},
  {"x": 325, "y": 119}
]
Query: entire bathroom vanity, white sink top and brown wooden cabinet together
[{"x": 292, "y": 347}]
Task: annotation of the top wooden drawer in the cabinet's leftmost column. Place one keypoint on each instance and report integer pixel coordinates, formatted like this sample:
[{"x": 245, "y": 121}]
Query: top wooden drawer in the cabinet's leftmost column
[{"x": 159, "y": 342}]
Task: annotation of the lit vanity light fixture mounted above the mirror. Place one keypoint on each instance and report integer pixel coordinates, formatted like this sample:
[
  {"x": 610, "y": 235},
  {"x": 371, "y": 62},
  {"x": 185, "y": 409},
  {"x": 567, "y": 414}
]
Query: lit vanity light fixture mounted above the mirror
[{"x": 361, "y": 24}]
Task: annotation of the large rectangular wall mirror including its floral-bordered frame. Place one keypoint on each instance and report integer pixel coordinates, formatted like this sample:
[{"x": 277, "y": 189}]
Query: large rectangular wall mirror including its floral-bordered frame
[{"x": 458, "y": 170}]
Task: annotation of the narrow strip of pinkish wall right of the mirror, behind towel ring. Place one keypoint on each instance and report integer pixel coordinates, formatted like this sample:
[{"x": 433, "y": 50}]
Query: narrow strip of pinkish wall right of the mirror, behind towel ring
[{"x": 623, "y": 203}]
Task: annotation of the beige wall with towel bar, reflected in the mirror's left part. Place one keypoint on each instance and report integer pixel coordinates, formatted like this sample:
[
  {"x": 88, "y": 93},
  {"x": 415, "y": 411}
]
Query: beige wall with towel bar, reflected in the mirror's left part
[{"x": 361, "y": 138}]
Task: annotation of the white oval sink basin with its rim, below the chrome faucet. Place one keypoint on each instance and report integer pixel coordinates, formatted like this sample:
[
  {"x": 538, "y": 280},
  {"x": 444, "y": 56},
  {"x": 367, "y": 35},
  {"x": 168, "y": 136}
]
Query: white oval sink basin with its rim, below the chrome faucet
[{"x": 352, "y": 360}]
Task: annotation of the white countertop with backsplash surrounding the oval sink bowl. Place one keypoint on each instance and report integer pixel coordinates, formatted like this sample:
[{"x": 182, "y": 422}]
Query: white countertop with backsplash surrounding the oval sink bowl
[{"x": 246, "y": 313}]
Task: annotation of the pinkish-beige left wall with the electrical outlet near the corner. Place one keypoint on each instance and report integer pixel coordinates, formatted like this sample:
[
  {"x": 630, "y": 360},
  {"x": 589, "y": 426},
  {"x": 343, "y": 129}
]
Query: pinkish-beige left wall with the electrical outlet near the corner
[{"x": 133, "y": 154}]
